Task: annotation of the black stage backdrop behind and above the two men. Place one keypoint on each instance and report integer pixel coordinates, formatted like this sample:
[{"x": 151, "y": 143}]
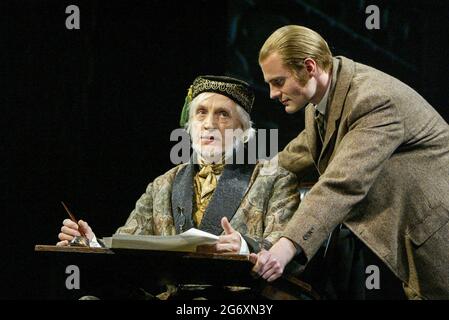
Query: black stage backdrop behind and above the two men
[{"x": 87, "y": 114}]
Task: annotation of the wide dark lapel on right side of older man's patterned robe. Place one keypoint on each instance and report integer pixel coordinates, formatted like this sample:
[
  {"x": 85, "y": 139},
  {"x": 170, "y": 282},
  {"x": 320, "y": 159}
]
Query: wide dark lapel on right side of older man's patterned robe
[{"x": 227, "y": 197}]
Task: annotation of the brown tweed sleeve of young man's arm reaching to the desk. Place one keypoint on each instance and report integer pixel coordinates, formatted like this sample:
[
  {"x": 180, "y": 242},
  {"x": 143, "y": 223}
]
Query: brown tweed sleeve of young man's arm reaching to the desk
[{"x": 374, "y": 133}]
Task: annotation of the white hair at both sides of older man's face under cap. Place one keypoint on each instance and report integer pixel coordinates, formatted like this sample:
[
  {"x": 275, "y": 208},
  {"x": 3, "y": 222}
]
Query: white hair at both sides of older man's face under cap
[{"x": 247, "y": 125}]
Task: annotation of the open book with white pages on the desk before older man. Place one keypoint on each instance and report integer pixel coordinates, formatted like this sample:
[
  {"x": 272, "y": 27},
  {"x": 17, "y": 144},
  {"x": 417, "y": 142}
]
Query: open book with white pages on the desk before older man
[{"x": 186, "y": 241}]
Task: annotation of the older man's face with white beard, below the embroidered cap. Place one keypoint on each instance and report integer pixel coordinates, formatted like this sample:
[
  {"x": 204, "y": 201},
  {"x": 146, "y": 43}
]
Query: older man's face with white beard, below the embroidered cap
[{"x": 212, "y": 117}]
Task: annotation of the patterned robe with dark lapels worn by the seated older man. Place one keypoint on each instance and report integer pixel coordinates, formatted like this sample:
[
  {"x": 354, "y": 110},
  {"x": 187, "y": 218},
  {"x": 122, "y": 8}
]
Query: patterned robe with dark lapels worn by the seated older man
[{"x": 257, "y": 205}]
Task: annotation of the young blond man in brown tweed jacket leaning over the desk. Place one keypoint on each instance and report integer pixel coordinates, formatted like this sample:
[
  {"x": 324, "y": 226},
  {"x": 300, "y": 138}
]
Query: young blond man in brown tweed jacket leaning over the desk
[{"x": 382, "y": 153}]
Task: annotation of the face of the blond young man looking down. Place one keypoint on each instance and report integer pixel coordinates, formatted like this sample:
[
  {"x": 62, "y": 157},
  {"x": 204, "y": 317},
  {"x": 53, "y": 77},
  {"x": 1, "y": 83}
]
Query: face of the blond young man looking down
[{"x": 284, "y": 86}]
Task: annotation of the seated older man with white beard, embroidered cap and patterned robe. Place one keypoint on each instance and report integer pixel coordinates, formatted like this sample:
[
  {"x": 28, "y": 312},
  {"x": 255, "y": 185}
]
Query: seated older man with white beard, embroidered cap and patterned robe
[{"x": 234, "y": 200}]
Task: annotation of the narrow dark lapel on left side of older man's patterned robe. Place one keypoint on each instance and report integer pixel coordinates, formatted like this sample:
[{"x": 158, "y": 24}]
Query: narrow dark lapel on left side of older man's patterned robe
[{"x": 182, "y": 198}]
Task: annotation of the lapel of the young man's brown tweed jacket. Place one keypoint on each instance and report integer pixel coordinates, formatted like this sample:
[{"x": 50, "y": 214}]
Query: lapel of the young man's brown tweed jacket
[{"x": 344, "y": 76}]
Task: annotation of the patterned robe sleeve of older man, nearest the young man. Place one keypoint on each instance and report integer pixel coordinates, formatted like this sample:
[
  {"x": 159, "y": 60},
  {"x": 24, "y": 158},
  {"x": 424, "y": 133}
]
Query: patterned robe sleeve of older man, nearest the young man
[{"x": 281, "y": 205}]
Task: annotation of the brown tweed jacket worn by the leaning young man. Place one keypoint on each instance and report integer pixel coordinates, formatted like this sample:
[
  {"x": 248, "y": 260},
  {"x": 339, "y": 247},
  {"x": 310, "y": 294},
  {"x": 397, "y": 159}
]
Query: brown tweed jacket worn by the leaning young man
[{"x": 384, "y": 173}]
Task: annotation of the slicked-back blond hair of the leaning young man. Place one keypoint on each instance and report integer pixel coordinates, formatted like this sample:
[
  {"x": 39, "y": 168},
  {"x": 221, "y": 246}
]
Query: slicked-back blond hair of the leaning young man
[{"x": 294, "y": 44}]
